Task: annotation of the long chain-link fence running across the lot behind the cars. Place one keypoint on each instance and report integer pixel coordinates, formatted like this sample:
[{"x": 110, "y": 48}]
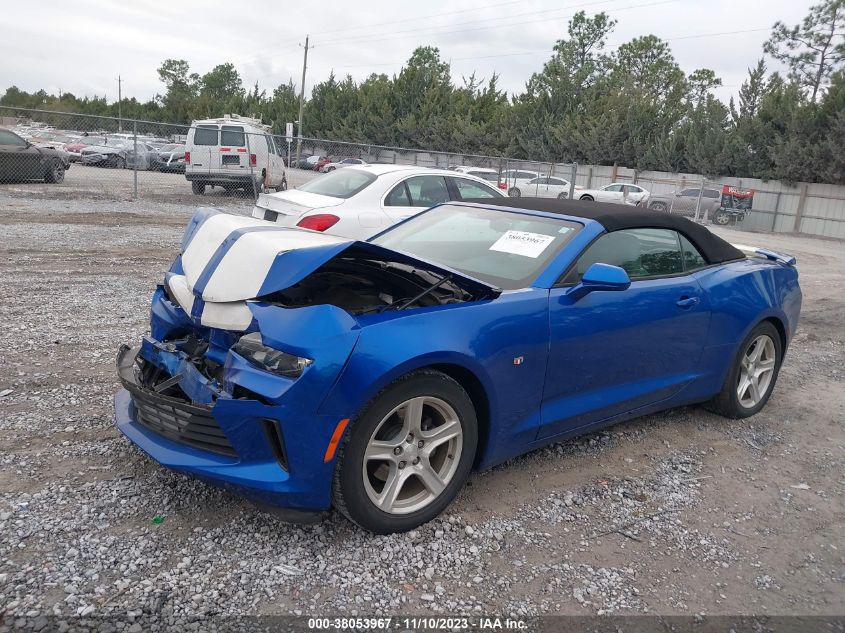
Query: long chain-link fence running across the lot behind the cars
[{"x": 67, "y": 155}]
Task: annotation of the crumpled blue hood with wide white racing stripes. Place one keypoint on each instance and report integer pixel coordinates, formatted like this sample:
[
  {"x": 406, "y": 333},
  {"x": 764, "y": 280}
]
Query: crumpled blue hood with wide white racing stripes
[{"x": 234, "y": 258}]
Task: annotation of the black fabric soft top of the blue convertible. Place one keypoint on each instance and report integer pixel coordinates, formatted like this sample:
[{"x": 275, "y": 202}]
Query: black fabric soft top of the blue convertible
[{"x": 615, "y": 217}]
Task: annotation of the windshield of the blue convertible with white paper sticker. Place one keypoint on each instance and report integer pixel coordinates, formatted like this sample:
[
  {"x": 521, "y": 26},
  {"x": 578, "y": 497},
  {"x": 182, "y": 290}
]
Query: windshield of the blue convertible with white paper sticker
[{"x": 502, "y": 248}]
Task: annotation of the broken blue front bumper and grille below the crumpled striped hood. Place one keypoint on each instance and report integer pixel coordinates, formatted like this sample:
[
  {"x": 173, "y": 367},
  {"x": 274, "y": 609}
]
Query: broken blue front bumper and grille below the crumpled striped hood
[{"x": 258, "y": 435}]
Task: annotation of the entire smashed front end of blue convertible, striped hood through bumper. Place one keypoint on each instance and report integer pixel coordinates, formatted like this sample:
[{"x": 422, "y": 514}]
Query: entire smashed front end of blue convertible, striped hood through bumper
[{"x": 249, "y": 331}]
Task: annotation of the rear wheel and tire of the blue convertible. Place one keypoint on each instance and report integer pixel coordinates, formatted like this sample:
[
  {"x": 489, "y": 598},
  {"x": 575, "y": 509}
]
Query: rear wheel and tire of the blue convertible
[{"x": 752, "y": 376}]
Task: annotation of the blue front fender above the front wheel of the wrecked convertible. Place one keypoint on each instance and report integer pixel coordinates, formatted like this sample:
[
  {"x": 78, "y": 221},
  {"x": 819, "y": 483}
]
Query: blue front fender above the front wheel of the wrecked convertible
[{"x": 503, "y": 343}]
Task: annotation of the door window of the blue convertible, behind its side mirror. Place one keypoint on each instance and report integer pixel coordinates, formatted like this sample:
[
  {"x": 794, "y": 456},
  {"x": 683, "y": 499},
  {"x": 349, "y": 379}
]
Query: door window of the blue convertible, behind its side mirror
[{"x": 640, "y": 252}]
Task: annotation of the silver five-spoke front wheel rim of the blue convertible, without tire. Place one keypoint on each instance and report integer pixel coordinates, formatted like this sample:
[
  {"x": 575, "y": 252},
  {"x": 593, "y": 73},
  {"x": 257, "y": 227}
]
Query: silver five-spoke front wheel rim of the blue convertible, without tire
[{"x": 412, "y": 455}]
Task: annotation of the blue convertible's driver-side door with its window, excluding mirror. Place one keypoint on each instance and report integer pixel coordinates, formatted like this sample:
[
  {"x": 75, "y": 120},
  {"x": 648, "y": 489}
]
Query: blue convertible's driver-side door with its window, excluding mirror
[{"x": 615, "y": 352}]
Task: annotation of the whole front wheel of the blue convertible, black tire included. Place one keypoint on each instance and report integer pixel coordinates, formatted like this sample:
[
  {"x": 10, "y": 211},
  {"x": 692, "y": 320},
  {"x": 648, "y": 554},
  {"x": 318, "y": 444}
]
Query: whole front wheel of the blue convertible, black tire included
[{"x": 407, "y": 455}]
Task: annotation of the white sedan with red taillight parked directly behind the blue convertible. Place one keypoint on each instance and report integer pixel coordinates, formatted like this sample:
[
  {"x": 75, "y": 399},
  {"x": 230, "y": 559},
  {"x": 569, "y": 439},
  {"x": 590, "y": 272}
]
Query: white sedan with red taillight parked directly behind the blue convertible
[{"x": 358, "y": 202}]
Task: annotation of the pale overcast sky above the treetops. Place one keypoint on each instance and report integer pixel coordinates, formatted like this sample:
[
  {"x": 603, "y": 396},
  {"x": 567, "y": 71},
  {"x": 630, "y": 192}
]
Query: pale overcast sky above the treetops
[{"x": 81, "y": 47}]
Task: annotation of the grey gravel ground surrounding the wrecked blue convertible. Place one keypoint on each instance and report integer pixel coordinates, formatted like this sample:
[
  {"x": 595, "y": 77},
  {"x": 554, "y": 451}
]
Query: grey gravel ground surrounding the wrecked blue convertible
[{"x": 682, "y": 512}]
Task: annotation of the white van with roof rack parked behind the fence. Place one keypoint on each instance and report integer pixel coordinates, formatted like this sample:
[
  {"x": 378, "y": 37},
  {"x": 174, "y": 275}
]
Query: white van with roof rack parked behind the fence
[{"x": 233, "y": 152}]
